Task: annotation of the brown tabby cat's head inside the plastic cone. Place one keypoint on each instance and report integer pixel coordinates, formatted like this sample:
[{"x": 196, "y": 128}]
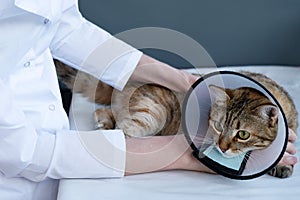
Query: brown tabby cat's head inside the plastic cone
[{"x": 241, "y": 120}]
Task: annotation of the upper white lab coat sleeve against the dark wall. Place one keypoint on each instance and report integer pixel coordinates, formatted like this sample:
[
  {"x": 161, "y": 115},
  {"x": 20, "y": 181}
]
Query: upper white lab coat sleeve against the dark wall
[{"x": 87, "y": 47}]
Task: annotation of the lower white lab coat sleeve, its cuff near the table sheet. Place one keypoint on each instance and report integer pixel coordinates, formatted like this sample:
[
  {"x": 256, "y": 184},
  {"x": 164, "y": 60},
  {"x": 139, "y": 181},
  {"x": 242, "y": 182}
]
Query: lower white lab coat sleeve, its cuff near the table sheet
[{"x": 38, "y": 154}]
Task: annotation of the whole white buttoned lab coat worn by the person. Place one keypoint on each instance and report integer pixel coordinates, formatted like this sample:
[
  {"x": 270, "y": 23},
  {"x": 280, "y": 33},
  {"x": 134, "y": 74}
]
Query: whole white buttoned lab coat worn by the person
[{"x": 36, "y": 145}]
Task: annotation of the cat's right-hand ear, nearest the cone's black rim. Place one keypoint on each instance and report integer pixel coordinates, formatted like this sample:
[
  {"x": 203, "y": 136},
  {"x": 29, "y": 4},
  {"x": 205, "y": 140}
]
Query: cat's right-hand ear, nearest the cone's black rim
[{"x": 269, "y": 112}]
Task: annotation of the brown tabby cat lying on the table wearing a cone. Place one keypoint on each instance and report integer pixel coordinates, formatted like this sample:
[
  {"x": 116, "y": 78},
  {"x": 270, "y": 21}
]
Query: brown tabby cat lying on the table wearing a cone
[{"x": 145, "y": 110}]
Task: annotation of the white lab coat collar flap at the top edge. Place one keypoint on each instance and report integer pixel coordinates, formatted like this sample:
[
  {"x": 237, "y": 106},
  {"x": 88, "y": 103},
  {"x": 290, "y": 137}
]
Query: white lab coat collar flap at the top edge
[{"x": 50, "y": 9}]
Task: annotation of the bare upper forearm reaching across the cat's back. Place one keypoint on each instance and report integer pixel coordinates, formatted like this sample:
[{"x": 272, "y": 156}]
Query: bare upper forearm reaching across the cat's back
[{"x": 150, "y": 70}]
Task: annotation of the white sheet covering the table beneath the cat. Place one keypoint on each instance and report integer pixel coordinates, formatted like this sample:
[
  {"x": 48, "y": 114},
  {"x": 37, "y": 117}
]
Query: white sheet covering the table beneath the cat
[{"x": 183, "y": 184}]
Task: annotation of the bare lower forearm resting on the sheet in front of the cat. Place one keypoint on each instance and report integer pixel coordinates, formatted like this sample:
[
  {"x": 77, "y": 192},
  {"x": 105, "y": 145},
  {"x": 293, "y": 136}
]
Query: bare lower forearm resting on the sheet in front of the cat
[{"x": 160, "y": 153}]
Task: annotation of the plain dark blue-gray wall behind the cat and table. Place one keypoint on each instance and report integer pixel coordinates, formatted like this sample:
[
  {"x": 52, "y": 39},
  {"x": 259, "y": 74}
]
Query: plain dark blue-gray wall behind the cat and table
[{"x": 234, "y": 32}]
